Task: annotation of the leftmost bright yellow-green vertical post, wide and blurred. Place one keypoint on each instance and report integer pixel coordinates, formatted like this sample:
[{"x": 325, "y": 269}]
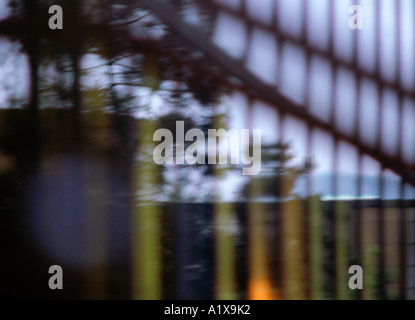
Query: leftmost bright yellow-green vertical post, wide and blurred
[{"x": 146, "y": 226}]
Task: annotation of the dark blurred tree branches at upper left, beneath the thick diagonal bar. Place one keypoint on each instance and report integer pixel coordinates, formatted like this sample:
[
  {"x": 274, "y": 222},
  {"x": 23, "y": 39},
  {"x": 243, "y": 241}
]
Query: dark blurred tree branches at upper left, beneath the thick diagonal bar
[{"x": 123, "y": 37}]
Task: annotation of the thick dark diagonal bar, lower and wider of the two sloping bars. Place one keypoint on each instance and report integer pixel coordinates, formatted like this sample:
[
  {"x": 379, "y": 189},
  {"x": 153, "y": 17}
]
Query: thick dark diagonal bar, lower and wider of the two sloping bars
[{"x": 264, "y": 91}]
